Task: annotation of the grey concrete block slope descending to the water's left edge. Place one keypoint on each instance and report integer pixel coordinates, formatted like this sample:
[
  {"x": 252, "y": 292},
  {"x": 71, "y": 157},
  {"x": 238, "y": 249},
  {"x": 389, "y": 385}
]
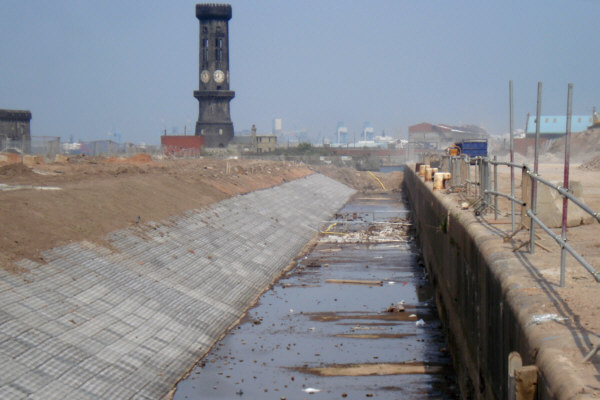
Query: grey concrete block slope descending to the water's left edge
[{"x": 130, "y": 321}]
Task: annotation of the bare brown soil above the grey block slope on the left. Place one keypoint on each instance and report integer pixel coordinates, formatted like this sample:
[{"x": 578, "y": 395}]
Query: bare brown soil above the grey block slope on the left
[{"x": 100, "y": 195}]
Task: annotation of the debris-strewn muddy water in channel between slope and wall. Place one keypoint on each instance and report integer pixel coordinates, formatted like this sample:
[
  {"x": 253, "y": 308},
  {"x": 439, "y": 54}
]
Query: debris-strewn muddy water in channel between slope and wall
[{"x": 324, "y": 330}]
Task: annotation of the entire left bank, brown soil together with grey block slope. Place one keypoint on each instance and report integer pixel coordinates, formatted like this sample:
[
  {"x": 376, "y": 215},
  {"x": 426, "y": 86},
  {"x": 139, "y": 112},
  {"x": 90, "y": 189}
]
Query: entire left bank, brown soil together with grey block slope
[{"x": 113, "y": 256}]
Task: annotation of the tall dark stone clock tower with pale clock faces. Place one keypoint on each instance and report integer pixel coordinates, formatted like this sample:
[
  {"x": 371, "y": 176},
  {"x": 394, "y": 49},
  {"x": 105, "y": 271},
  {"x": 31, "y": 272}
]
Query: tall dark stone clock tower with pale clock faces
[{"x": 214, "y": 122}]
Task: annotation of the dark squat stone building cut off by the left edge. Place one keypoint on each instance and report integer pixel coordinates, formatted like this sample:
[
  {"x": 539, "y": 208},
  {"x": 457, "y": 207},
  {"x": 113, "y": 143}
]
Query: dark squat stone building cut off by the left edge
[{"x": 15, "y": 129}]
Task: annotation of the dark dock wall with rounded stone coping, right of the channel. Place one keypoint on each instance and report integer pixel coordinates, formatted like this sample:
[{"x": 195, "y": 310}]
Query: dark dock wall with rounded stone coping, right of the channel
[{"x": 486, "y": 302}]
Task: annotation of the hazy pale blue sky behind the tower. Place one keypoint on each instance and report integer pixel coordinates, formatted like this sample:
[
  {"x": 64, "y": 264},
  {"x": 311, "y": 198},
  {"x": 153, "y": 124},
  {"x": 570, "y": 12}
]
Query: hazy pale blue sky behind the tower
[{"x": 87, "y": 68}]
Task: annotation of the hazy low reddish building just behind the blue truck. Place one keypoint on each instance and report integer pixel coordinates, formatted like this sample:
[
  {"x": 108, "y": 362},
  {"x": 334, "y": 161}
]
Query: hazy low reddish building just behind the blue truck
[{"x": 440, "y": 136}]
